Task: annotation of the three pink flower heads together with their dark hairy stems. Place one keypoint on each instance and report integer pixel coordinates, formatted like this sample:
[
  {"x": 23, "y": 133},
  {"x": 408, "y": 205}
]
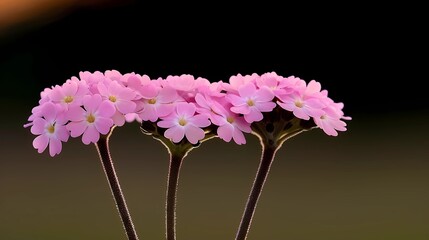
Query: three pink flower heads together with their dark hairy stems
[{"x": 182, "y": 111}]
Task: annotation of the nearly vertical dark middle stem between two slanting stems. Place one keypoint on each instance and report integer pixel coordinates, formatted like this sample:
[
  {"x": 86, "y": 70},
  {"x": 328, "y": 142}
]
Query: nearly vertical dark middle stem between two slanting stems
[{"x": 171, "y": 197}]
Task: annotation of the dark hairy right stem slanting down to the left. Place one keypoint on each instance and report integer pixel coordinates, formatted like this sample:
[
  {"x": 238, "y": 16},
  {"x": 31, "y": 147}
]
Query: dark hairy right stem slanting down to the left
[{"x": 268, "y": 153}]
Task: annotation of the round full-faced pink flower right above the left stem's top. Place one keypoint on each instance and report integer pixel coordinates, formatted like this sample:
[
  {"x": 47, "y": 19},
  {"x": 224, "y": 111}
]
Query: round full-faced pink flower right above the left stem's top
[{"x": 91, "y": 121}]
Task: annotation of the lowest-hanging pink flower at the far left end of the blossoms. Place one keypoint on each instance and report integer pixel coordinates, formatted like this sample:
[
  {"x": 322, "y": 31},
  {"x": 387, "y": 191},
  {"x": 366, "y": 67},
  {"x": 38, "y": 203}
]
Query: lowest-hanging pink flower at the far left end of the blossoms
[{"x": 49, "y": 125}]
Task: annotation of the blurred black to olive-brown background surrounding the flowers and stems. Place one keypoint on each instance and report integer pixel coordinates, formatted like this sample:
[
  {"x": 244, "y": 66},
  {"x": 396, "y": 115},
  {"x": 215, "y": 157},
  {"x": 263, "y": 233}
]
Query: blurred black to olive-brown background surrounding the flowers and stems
[{"x": 371, "y": 182}]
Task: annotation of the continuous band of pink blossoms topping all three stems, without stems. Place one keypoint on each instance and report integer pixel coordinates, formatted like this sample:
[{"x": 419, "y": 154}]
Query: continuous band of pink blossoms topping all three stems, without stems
[{"x": 183, "y": 105}]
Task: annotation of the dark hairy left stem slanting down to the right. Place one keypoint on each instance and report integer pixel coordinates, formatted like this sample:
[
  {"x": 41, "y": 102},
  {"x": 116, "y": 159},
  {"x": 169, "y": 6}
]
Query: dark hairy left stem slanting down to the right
[{"x": 106, "y": 160}]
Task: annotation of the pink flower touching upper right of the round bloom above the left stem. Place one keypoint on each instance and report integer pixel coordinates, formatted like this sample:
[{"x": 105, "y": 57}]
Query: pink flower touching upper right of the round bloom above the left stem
[{"x": 120, "y": 96}]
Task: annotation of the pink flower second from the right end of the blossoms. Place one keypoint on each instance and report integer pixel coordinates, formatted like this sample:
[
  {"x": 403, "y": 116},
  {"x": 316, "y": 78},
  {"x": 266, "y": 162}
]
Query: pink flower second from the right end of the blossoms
[{"x": 304, "y": 102}]
